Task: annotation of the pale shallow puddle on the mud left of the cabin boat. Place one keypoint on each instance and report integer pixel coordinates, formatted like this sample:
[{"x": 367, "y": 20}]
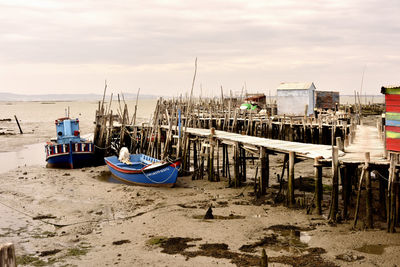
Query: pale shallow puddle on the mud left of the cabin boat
[{"x": 28, "y": 155}]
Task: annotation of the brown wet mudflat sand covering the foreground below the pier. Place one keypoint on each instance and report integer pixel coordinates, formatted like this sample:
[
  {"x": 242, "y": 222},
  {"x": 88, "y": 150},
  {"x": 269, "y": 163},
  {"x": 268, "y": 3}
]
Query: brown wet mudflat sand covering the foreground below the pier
[{"x": 80, "y": 218}]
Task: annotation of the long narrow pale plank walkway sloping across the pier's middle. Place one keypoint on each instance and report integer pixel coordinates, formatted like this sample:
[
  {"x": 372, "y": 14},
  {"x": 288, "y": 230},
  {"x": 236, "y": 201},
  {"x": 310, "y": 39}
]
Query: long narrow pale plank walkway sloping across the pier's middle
[{"x": 301, "y": 149}]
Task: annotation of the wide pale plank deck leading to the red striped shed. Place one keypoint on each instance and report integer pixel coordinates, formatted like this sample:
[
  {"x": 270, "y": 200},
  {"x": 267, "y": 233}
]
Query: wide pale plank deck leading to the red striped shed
[{"x": 367, "y": 139}]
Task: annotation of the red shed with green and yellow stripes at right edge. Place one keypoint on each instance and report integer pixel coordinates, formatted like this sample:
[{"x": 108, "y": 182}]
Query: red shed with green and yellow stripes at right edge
[{"x": 392, "y": 117}]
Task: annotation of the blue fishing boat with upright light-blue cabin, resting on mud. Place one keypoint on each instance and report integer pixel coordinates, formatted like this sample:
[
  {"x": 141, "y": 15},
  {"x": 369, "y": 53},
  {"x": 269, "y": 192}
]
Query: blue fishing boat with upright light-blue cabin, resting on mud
[{"x": 69, "y": 150}]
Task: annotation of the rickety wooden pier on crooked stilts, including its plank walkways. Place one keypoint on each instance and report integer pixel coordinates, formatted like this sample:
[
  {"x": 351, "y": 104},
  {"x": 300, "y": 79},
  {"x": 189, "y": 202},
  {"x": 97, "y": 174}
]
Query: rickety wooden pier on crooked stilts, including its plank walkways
[{"x": 216, "y": 140}]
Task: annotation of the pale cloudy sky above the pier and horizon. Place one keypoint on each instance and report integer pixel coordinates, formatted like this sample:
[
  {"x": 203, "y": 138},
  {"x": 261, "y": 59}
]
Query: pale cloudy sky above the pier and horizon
[{"x": 73, "y": 46}]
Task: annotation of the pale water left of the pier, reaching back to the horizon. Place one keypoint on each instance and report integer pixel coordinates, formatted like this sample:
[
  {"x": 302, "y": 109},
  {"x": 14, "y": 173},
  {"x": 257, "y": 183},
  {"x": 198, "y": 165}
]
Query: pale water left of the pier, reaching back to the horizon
[{"x": 43, "y": 115}]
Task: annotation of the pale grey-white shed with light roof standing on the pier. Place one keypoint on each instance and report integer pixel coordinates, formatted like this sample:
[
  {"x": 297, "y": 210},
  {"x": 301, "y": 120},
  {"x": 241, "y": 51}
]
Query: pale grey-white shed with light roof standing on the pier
[{"x": 292, "y": 98}]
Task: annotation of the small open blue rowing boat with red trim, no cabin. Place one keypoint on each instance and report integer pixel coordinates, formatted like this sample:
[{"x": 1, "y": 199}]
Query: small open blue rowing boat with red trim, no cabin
[{"x": 144, "y": 170}]
